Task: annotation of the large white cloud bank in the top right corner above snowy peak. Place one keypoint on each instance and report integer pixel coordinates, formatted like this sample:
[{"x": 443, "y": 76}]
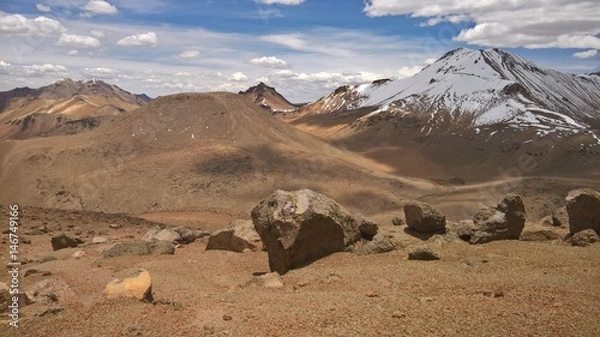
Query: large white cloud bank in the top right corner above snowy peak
[{"x": 498, "y": 23}]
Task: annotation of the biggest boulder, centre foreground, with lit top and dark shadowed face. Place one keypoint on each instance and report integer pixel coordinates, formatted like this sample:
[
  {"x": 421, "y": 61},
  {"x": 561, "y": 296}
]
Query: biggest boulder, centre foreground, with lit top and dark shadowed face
[{"x": 300, "y": 227}]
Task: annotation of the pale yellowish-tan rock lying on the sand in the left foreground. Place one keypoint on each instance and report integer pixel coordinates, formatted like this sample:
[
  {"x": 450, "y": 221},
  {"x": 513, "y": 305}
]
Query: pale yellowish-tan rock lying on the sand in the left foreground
[{"x": 138, "y": 287}]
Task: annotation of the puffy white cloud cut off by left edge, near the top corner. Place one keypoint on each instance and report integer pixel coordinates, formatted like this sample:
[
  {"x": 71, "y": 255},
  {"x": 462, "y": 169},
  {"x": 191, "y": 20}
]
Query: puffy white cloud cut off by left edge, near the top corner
[{"x": 17, "y": 24}]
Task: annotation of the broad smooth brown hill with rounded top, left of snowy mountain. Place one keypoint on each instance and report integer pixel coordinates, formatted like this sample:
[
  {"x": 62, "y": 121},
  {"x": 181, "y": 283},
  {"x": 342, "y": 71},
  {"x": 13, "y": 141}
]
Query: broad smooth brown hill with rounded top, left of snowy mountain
[{"x": 191, "y": 152}]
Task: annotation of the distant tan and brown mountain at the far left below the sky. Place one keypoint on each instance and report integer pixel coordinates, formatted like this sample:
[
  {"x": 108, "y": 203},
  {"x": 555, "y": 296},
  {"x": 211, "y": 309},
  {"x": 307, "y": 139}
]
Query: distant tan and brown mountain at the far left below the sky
[{"x": 26, "y": 112}]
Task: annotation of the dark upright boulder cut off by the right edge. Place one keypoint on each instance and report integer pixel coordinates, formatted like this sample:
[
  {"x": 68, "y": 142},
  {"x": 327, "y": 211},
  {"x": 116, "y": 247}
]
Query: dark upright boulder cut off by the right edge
[{"x": 583, "y": 207}]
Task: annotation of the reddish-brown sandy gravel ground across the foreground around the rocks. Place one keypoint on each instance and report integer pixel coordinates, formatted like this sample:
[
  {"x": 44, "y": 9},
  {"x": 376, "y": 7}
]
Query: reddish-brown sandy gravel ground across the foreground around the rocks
[{"x": 508, "y": 288}]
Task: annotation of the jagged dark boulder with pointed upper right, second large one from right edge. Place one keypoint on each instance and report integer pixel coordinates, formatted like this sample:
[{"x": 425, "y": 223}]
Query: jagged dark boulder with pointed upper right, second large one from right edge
[{"x": 503, "y": 222}]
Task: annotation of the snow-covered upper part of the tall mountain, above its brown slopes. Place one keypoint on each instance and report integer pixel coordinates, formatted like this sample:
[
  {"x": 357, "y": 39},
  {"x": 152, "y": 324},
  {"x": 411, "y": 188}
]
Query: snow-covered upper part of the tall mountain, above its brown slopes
[{"x": 479, "y": 88}]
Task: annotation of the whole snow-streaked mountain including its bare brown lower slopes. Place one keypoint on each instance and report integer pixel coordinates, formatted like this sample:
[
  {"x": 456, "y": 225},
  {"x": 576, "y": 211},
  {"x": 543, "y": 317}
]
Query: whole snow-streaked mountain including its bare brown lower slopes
[{"x": 471, "y": 115}]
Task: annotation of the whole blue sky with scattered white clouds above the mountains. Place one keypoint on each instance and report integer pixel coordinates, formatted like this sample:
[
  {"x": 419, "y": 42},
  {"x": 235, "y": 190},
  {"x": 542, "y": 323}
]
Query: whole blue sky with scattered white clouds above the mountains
[{"x": 304, "y": 48}]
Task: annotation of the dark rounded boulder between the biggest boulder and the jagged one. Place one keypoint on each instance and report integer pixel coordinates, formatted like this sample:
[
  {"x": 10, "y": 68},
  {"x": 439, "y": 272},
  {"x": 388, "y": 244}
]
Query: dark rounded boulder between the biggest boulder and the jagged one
[{"x": 423, "y": 218}]
